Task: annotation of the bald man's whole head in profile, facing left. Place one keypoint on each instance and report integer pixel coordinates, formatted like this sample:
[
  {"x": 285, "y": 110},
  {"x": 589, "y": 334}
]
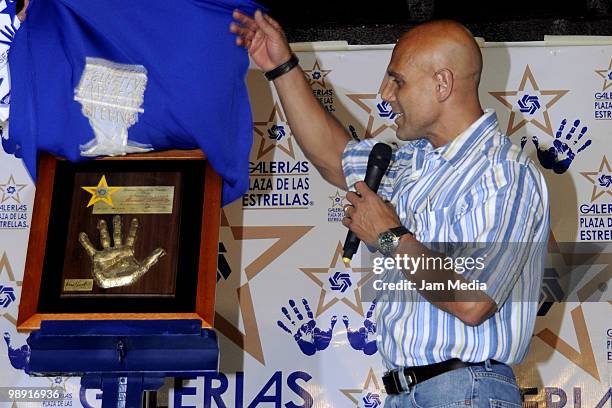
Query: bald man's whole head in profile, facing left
[{"x": 432, "y": 81}]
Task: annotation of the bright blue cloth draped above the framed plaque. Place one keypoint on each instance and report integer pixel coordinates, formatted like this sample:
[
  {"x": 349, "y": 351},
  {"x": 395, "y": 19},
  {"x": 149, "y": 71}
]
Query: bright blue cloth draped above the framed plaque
[{"x": 195, "y": 93}]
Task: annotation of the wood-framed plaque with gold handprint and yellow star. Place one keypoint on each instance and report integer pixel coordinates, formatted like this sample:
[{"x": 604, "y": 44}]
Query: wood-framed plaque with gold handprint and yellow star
[{"x": 130, "y": 237}]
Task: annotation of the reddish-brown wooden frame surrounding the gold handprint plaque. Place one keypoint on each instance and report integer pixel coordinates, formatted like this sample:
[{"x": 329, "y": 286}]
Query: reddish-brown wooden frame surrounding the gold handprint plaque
[{"x": 30, "y": 318}]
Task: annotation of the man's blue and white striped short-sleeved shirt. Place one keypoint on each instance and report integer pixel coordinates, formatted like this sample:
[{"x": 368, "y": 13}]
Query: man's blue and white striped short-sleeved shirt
[{"x": 477, "y": 188}]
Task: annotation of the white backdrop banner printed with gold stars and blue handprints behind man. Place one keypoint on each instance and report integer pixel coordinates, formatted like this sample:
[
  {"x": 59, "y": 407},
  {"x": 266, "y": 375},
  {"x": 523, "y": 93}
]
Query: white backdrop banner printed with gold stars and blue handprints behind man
[{"x": 294, "y": 331}]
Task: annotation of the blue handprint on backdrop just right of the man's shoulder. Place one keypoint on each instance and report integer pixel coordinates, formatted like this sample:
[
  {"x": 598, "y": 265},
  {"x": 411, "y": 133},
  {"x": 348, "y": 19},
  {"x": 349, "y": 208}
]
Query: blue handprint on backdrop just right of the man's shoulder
[{"x": 560, "y": 155}]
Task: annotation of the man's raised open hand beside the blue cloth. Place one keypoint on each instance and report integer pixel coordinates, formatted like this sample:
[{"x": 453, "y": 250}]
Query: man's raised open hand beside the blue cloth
[{"x": 263, "y": 38}]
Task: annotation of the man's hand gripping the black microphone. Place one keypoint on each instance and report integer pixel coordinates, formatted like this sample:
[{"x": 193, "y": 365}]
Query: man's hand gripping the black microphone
[{"x": 368, "y": 215}]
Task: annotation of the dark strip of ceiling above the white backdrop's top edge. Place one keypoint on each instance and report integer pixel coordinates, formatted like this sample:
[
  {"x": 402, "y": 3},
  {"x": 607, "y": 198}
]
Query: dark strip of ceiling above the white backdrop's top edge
[{"x": 383, "y": 21}]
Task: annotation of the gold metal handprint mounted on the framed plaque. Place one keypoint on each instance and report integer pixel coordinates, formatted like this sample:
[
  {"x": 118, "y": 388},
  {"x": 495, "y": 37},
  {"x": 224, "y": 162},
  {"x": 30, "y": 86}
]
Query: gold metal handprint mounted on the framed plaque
[{"x": 115, "y": 266}]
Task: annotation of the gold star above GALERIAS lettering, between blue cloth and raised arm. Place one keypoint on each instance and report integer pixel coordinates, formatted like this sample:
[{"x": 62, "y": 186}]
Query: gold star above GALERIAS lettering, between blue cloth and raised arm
[{"x": 274, "y": 132}]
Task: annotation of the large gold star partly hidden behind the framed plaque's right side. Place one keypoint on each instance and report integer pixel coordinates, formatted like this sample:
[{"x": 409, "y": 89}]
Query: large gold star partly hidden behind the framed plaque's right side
[{"x": 226, "y": 320}]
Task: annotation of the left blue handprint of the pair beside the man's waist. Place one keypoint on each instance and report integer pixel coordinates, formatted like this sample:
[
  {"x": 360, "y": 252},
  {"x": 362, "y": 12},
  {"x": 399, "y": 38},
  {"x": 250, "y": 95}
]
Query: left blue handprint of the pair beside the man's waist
[{"x": 307, "y": 335}]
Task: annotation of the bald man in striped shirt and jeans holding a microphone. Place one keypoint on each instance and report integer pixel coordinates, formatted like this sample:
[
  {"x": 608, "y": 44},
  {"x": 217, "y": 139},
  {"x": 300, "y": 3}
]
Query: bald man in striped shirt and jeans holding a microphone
[{"x": 457, "y": 181}]
